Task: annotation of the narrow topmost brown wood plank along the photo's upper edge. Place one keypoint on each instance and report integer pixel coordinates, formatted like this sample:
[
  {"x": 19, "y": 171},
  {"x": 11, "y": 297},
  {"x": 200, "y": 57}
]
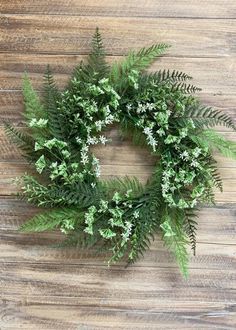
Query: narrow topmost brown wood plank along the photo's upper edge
[{"x": 140, "y": 8}]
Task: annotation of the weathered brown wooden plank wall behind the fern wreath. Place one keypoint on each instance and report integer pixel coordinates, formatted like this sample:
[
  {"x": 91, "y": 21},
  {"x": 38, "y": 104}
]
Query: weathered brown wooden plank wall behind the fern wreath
[{"x": 46, "y": 288}]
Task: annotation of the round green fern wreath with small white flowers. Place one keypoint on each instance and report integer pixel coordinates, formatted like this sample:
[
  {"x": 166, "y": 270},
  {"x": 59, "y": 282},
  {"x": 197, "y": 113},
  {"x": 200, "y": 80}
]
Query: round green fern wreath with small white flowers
[{"x": 120, "y": 216}]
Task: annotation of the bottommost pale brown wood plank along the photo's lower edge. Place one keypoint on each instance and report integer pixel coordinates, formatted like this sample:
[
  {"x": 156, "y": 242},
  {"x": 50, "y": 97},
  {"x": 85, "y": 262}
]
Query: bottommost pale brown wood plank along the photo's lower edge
[{"x": 104, "y": 313}]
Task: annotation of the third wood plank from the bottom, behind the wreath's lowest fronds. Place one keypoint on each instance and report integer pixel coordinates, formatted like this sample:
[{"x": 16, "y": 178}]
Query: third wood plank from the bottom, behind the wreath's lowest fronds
[{"x": 35, "y": 248}]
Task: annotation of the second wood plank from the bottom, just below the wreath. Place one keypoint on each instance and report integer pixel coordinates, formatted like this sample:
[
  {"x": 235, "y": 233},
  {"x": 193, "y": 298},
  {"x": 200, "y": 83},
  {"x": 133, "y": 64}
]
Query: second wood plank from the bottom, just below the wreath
[{"x": 128, "y": 286}]
